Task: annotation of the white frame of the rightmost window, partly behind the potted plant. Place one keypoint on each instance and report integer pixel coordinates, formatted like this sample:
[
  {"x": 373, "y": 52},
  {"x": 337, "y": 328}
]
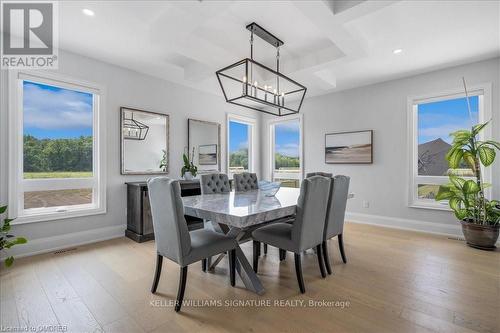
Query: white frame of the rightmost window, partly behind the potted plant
[{"x": 484, "y": 93}]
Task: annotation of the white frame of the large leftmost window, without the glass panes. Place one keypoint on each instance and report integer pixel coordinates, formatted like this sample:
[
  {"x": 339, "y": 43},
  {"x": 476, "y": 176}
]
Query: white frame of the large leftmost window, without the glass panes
[{"x": 18, "y": 185}]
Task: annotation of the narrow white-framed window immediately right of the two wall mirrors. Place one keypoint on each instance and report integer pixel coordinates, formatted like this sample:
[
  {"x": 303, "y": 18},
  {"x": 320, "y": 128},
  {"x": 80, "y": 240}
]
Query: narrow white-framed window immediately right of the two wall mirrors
[{"x": 240, "y": 144}]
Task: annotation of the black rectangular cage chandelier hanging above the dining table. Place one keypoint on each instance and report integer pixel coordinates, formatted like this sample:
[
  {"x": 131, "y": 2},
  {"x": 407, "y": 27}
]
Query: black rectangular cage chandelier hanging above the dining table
[{"x": 252, "y": 85}]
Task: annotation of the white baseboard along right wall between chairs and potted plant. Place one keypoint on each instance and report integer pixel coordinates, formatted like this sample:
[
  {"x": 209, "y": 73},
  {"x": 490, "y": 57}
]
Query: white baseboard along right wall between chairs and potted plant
[{"x": 451, "y": 230}]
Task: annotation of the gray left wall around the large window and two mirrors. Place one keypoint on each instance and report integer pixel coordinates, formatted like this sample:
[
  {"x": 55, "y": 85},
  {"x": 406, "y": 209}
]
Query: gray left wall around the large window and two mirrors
[{"x": 124, "y": 88}]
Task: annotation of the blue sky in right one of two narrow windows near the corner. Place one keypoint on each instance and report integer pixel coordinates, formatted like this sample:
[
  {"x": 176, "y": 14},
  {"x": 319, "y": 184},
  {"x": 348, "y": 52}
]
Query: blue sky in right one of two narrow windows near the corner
[{"x": 287, "y": 138}]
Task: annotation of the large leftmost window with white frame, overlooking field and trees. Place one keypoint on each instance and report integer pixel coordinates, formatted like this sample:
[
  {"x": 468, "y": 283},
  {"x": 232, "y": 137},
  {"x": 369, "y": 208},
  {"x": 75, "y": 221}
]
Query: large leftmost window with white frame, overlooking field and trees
[{"x": 57, "y": 156}]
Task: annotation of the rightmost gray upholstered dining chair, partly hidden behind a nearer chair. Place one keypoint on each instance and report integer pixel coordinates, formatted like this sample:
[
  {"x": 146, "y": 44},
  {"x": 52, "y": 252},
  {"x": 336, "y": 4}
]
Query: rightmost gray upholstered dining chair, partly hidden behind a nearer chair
[{"x": 334, "y": 226}]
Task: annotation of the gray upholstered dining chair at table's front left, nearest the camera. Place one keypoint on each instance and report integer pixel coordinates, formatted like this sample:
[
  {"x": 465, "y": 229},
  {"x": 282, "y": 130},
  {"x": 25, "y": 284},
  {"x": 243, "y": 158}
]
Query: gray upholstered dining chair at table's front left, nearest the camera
[{"x": 175, "y": 242}]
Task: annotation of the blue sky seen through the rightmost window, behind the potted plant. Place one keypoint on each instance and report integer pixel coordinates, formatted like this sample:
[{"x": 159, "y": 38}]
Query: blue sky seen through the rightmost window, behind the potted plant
[{"x": 439, "y": 119}]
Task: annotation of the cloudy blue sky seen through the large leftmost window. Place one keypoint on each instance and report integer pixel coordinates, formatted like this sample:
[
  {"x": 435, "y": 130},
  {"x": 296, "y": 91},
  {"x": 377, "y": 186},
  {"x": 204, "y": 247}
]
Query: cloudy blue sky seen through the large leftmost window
[{"x": 54, "y": 113}]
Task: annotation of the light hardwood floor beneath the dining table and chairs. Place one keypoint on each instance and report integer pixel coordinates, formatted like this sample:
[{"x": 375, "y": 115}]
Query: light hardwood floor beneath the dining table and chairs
[{"x": 394, "y": 281}]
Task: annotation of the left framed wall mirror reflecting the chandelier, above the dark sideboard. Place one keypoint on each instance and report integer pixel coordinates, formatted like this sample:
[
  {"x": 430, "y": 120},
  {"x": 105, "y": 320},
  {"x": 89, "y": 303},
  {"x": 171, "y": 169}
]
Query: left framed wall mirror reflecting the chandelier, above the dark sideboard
[{"x": 144, "y": 142}]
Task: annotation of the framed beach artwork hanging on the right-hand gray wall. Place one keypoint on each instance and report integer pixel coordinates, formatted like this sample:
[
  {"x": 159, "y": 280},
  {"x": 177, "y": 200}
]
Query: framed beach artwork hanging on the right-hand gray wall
[{"x": 349, "y": 147}]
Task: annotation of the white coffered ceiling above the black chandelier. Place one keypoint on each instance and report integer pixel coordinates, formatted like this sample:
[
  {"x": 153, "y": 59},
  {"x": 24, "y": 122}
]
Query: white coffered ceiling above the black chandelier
[{"x": 329, "y": 45}]
